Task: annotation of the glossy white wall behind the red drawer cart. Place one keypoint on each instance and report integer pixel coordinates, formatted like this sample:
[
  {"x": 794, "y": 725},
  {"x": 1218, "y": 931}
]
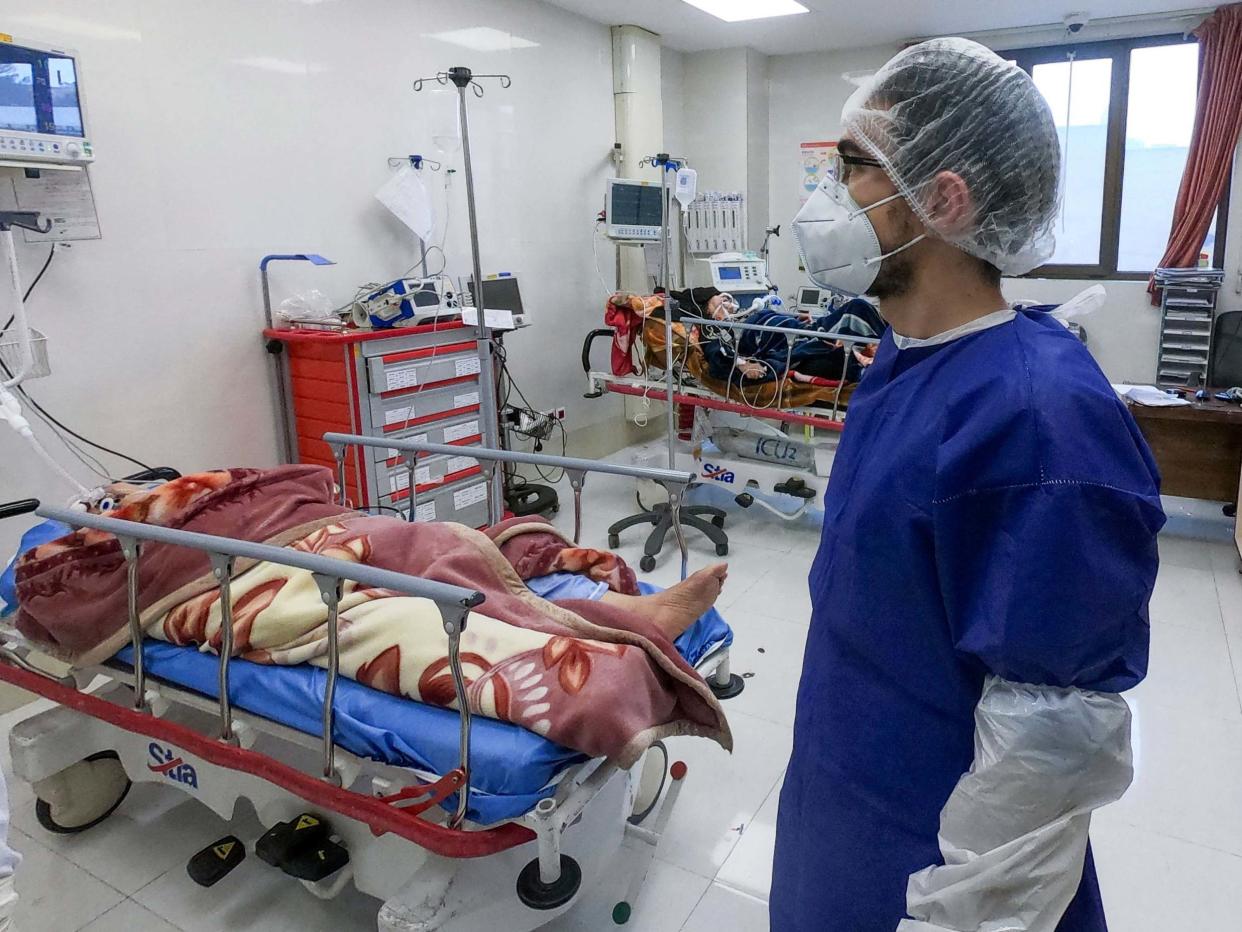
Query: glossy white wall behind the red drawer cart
[{"x": 237, "y": 129}]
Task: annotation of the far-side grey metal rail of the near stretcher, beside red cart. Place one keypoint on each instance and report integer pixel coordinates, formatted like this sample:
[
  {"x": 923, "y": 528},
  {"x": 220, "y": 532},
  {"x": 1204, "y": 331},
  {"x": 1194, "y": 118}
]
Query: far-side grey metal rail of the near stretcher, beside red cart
[{"x": 674, "y": 482}]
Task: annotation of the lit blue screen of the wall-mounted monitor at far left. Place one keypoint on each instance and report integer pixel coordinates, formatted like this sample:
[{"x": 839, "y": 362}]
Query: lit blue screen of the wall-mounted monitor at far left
[{"x": 39, "y": 93}]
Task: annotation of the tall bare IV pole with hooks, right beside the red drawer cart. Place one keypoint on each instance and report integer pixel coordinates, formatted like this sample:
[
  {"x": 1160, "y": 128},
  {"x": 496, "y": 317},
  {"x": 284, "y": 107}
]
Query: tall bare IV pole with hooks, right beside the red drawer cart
[{"x": 463, "y": 79}]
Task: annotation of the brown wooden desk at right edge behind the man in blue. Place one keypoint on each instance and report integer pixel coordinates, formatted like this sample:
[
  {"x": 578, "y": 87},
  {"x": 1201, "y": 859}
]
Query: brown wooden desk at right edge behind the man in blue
[{"x": 1199, "y": 449}]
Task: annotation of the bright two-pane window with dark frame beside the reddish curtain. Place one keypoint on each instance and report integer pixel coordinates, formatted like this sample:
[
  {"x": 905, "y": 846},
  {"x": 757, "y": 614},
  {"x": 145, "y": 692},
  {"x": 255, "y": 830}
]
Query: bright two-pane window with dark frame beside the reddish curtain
[{"x": 1125, "y": 112}]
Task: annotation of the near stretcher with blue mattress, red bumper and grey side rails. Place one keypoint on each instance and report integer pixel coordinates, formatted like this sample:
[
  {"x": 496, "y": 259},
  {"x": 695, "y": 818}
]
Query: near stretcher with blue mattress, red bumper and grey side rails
[{"x": 454, "y": 823}]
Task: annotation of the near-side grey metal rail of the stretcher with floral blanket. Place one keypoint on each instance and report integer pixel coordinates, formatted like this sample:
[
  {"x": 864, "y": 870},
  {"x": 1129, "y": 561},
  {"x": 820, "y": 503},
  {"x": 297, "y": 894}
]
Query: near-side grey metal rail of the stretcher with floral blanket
[{"x": 330, "y": 575}]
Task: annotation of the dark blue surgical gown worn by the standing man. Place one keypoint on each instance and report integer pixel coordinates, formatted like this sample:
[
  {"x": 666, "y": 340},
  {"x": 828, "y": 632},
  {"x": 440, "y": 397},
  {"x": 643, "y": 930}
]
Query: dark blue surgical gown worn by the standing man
[{"x": 993, "y": 510}]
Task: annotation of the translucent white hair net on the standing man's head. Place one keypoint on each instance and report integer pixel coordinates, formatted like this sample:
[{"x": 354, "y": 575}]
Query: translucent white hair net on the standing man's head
[{"x": 951, "y": 105}]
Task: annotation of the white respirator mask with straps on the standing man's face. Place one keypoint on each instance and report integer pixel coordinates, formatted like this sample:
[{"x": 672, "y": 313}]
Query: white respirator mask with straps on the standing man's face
[{"x": 839, "y": 244}]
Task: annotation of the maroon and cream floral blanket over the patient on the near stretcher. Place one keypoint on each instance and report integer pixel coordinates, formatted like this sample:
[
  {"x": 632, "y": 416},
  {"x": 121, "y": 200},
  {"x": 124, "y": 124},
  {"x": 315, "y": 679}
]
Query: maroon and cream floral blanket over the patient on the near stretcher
[{"x": 584, "y": 674}]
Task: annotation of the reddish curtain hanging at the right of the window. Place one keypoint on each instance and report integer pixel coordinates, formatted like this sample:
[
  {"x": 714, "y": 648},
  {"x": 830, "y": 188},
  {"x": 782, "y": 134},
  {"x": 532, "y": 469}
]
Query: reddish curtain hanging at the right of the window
[{"x": 1218, "y": 126}]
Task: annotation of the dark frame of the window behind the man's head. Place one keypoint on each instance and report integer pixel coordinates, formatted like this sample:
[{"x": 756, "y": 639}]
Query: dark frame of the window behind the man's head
[{"x": 1118, "y": 50}]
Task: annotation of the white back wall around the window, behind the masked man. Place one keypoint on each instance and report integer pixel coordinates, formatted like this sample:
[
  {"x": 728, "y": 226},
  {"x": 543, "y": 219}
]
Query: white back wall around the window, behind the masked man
[{"x": 808, "y": 94}]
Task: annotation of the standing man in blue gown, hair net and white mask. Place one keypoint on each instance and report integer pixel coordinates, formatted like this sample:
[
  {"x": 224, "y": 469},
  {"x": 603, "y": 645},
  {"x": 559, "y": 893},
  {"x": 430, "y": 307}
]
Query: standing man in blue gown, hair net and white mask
[{"x": 981, "y": 593}]
